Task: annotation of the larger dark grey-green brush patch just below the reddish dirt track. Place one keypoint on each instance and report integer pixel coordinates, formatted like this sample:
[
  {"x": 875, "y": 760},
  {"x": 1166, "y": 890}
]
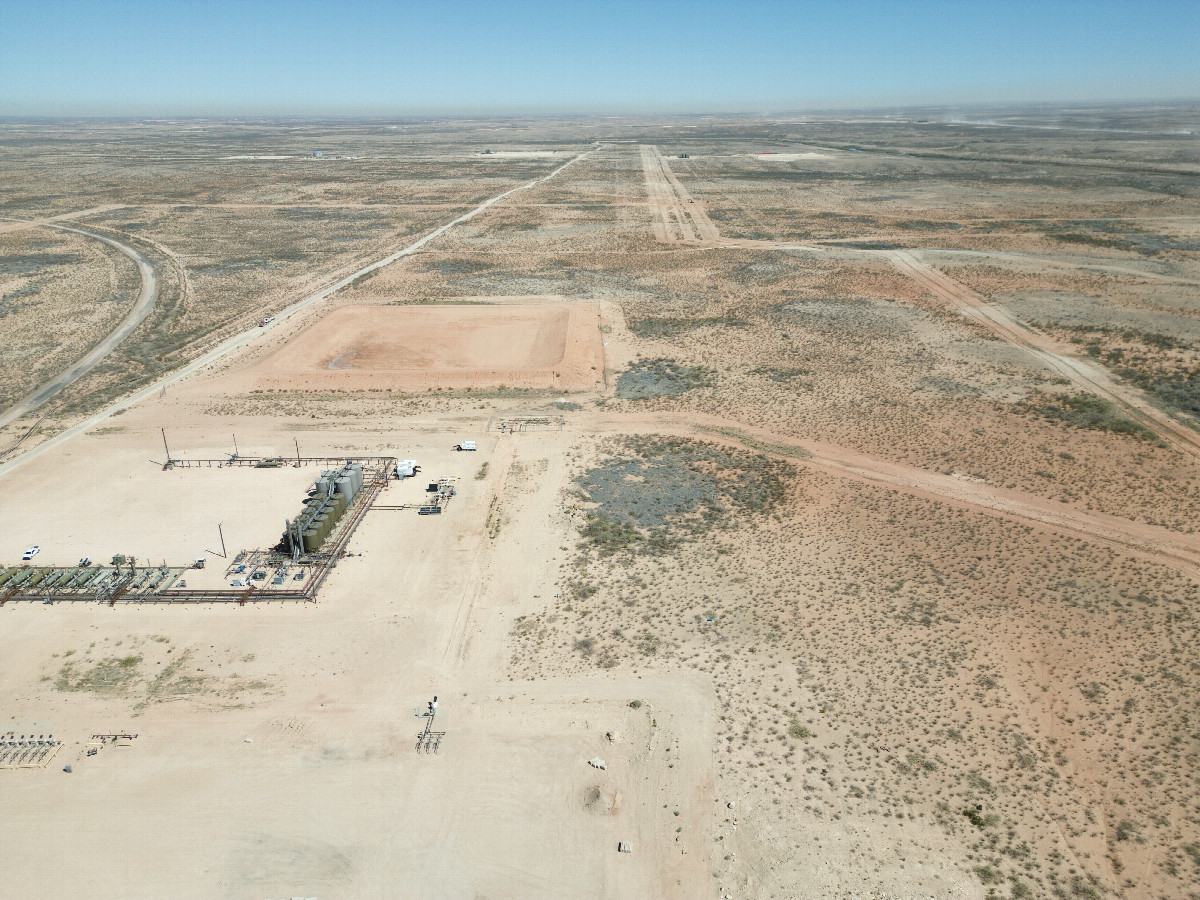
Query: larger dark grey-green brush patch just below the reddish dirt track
[{"x": 652, "y": 494}]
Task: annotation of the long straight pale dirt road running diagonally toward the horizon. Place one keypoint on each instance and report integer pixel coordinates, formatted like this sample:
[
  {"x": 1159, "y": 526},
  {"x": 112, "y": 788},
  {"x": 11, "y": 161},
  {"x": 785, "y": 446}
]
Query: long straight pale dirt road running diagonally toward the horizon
[{"x": 239, "y": 341}]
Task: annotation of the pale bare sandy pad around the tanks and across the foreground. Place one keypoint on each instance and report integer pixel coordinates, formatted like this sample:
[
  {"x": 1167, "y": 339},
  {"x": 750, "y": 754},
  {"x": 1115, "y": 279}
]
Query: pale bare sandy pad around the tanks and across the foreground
[{"x": 328, "y": 797}]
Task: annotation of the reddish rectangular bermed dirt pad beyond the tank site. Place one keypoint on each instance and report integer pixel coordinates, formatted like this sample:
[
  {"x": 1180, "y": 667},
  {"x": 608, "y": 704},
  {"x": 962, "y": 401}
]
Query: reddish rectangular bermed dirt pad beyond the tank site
[{"x": 547, "y": 345}]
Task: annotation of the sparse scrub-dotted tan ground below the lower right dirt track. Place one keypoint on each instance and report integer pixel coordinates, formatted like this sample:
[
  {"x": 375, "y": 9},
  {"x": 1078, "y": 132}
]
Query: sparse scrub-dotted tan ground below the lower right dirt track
[{"x": 872, "y": 670}]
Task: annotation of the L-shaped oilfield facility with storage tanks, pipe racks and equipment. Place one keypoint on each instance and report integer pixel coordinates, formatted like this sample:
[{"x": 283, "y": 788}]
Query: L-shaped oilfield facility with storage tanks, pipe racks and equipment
[{"x": 293, "y": 571}]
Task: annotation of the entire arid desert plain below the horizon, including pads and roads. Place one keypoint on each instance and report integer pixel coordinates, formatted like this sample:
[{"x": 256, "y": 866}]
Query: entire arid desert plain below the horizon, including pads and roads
[{"x": 826, "y": 524}]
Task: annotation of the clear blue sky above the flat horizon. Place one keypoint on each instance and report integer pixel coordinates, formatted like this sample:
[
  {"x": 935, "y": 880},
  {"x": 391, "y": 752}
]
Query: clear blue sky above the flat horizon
[{"x": 346, "y": 58}]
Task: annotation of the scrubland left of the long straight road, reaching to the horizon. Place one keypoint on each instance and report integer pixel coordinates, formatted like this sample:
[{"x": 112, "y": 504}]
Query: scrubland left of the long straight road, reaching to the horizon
[{"x": 235, "y": 232}]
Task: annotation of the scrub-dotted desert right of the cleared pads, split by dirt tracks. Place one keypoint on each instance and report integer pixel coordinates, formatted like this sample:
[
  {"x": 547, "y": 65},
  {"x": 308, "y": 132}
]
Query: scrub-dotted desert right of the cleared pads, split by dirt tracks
[{"x": 886, "y": 662}]
